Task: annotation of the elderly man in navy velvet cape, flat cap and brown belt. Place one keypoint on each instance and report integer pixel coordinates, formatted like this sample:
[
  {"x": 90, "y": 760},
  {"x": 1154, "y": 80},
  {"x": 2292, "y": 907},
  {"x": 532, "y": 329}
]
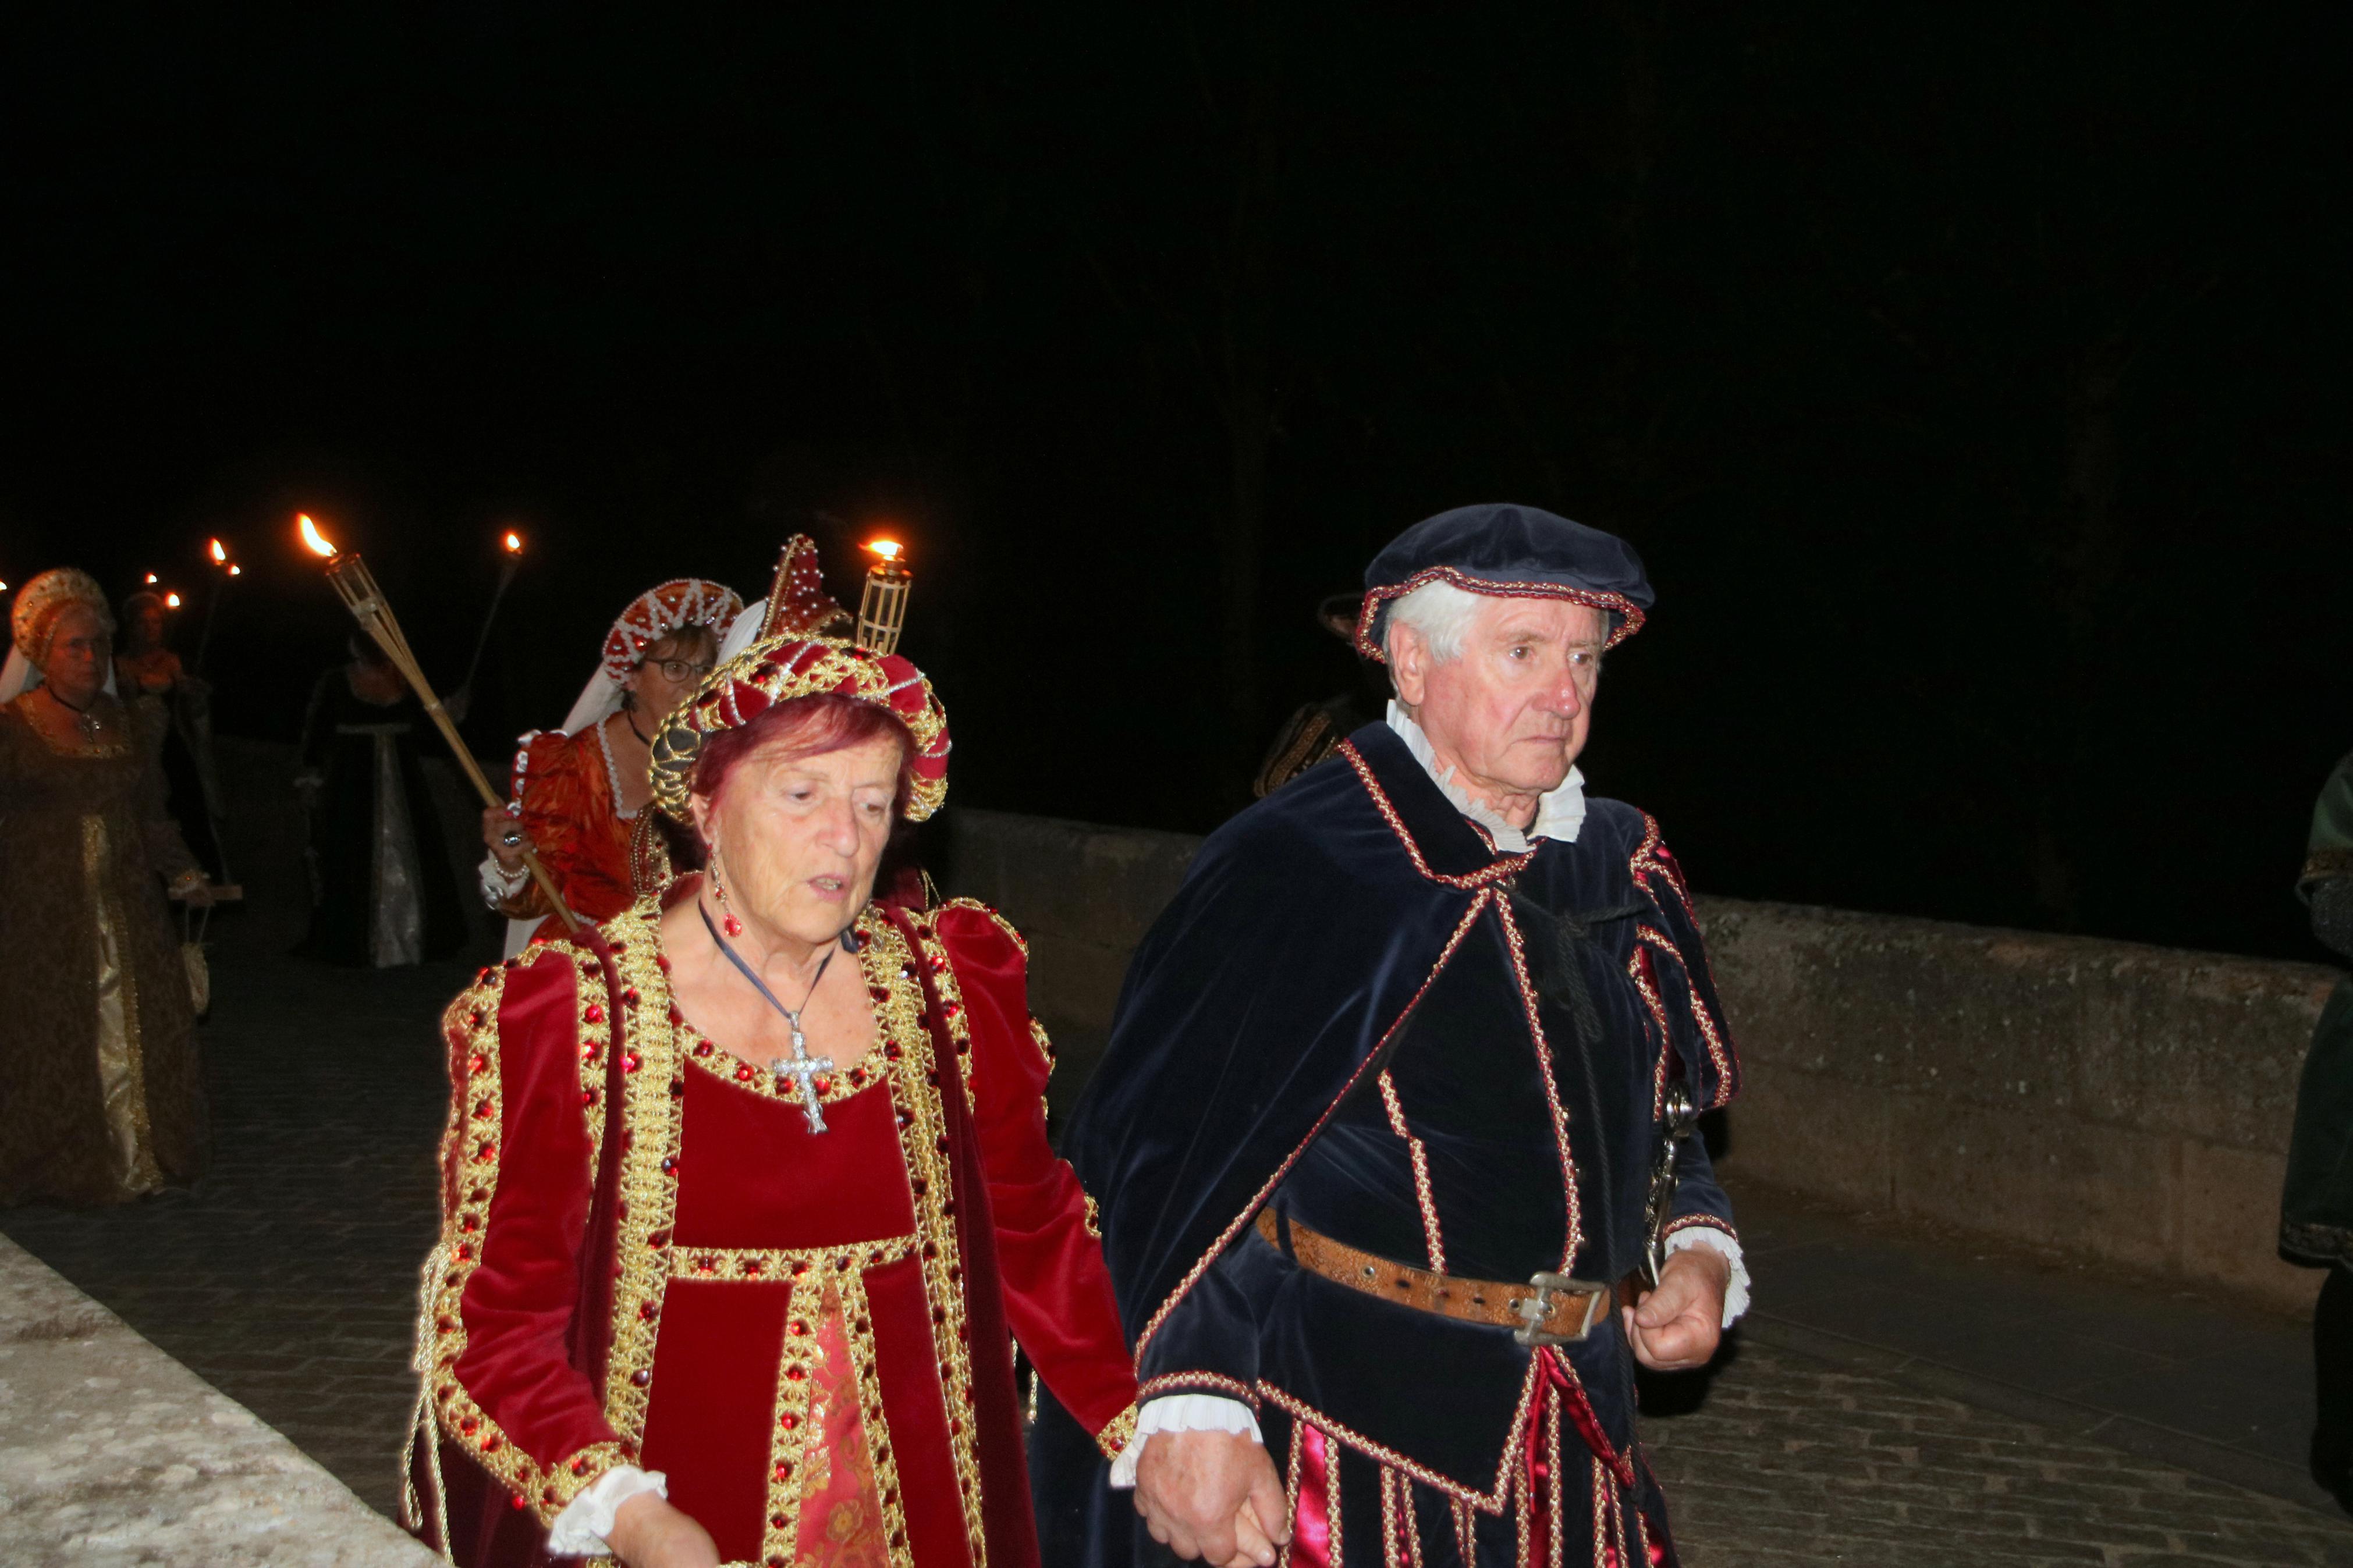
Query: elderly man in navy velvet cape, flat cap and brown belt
[{"x": 1380, "y": 1132}]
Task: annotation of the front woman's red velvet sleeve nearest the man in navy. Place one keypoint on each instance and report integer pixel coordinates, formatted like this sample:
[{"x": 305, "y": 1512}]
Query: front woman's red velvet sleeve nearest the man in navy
[{"x": 1058, "y": 1292}]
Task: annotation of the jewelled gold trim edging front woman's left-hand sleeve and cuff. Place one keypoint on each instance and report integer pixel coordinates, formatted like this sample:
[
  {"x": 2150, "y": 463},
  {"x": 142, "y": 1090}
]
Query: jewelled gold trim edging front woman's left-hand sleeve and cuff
[{"x": 472, "y": 1165}]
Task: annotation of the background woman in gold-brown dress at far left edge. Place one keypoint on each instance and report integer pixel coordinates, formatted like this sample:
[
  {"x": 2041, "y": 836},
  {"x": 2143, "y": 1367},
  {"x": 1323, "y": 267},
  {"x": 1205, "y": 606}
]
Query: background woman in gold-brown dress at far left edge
[{"x": 100, "y": 1090}]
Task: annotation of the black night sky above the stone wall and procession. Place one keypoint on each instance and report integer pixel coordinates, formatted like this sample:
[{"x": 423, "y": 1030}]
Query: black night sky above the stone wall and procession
[{"x": 1973, "y": 382}]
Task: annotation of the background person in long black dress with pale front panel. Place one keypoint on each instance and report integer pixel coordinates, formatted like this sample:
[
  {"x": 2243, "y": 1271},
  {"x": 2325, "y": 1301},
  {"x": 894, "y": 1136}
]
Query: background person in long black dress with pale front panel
[{"x": 382, "y": 885}]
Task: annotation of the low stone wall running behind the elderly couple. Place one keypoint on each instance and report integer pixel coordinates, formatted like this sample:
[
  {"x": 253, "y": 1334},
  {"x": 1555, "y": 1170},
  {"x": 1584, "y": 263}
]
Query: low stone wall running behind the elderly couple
[{"x": 2121, "y": 1101}]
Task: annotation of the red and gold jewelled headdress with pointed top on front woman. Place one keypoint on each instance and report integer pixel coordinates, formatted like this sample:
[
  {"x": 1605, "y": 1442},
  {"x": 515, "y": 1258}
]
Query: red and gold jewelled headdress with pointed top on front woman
[{"x": 792, "y": 662}]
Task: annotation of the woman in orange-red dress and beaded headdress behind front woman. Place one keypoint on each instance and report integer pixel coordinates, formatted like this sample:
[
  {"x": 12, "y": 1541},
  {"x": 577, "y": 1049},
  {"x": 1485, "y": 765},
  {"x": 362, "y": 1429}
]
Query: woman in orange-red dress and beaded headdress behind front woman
[{"x": 580, "y": 791}]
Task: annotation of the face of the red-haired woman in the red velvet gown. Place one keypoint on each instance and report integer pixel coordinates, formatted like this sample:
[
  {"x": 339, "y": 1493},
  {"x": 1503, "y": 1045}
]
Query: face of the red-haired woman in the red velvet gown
[{"x": 799, "y": 838}]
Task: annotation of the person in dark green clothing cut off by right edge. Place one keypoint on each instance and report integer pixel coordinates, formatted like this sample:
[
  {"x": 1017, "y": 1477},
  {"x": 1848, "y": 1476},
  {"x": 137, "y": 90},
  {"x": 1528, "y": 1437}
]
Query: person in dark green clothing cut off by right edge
[{"x": 2317, "y": 1205}]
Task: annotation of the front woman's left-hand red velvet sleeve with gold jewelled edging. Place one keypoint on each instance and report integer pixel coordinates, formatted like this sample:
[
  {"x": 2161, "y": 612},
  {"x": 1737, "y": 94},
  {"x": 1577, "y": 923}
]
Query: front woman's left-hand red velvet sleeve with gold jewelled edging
[{"x": 516, "y": 1188}]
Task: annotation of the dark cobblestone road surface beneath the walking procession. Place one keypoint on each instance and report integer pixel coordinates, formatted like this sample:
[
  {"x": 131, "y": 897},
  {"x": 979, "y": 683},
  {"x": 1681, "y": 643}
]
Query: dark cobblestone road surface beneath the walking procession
[{"x": 288, "y": 1280}]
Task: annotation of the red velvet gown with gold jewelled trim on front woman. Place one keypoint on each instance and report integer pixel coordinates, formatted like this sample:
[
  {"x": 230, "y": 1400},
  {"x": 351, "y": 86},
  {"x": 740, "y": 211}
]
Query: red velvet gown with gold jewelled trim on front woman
[{"x": 806, "y": 1332}]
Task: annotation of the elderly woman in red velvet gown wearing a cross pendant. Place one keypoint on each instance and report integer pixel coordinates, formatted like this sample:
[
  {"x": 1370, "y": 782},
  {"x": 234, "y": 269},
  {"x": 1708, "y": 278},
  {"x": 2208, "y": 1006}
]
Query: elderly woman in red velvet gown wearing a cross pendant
[{"x": 747, "y": 1193}]
